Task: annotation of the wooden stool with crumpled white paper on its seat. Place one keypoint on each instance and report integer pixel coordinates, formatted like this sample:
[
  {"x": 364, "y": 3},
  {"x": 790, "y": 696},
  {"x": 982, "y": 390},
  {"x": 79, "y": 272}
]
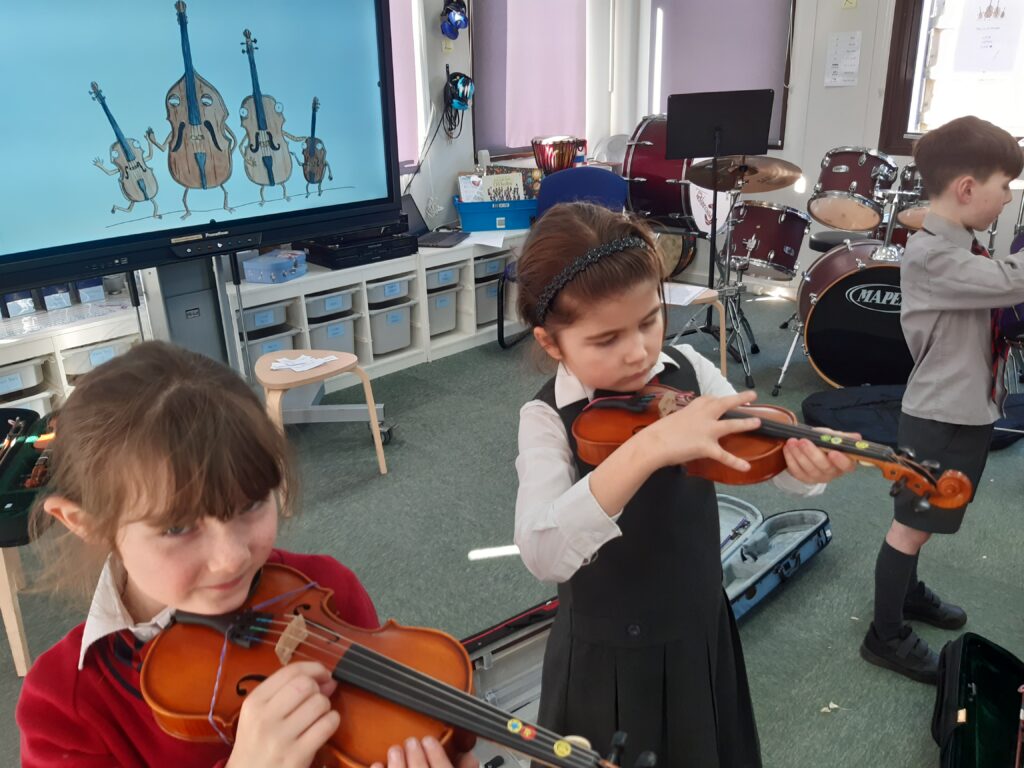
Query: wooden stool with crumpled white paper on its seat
[{"x": 276, "y": 383}]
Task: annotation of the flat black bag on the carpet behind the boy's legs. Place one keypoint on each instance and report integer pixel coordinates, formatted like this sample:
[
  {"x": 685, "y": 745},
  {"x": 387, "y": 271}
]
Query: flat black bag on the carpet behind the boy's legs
[{"x": 874, "y": 412}]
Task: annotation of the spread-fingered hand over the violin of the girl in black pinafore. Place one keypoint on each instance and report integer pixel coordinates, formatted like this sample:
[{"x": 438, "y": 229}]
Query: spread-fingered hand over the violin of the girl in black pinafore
[{"x": 695, "y": 432}]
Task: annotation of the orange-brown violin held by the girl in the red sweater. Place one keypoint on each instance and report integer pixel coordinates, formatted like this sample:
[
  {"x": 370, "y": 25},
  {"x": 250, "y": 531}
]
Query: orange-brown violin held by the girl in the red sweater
[{"x": 395, "y": 681}]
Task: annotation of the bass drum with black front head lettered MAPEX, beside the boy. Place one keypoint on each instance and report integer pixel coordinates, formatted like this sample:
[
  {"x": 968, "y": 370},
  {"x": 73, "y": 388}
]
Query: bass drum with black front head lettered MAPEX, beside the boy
[{"x": 850, "y": 305}]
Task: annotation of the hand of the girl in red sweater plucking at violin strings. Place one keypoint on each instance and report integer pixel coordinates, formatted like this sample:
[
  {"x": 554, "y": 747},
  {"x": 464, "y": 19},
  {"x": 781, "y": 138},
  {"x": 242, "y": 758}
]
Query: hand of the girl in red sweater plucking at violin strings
[{"x": 286, "y": 719}]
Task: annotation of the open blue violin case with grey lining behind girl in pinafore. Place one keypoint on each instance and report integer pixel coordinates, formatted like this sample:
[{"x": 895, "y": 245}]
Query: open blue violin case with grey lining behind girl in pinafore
[{"x": 759, "y": 556}]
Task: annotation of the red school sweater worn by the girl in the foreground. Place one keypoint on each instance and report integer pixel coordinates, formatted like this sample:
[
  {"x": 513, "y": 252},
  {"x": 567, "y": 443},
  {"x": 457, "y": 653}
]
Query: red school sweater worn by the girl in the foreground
[{"x": 96, "y": 717}]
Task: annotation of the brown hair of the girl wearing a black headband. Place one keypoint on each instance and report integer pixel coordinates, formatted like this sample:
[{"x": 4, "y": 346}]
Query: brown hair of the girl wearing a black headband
[{"x": 563, "y": 235}]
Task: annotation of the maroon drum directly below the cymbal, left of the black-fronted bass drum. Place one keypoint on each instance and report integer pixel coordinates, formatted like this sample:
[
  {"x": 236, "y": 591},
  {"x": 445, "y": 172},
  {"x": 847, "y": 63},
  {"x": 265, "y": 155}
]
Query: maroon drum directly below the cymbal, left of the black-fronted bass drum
[{"x": 766, "y": 239}]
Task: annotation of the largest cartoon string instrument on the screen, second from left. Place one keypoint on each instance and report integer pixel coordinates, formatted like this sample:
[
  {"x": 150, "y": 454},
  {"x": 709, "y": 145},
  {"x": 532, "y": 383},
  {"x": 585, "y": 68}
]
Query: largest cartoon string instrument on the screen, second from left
[{"x": 200, "y": 145}]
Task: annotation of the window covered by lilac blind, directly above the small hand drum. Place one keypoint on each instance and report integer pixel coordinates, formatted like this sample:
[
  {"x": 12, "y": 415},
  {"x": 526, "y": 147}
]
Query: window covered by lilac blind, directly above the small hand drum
[{"x": 530, "y": 69}]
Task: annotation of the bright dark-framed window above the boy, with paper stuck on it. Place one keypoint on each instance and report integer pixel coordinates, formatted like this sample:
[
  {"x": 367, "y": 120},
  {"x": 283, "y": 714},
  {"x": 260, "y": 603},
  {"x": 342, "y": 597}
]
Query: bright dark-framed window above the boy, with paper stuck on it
[{"x": 950, "y": 59}]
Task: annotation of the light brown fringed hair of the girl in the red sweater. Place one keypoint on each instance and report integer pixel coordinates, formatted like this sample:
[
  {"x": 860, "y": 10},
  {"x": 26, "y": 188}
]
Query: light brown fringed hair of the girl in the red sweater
[{"x": 162, "y": 435}]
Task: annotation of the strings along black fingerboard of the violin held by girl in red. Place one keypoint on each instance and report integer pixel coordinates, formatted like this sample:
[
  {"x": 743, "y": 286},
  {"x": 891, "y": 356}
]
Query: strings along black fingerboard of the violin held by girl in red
[{"x": 382, "y": 673}]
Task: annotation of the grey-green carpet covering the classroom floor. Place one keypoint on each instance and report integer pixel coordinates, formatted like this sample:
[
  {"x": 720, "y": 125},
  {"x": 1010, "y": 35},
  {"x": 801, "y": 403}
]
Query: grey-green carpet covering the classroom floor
[{"x": 451, "y": 489}]
